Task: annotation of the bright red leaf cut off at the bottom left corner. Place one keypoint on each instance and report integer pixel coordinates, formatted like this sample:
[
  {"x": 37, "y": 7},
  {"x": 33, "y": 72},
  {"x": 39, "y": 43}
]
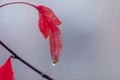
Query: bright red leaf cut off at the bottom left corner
[{"x": 6, "y": 71}]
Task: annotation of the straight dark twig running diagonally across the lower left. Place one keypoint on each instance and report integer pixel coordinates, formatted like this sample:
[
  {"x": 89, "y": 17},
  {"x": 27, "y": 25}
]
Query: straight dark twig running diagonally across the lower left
[{"x": 26, "y": 63}]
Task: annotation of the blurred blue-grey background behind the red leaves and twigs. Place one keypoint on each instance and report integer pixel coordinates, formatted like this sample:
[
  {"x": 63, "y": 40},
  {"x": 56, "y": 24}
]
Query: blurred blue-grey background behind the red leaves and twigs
[{"x": 91, "y": 39}]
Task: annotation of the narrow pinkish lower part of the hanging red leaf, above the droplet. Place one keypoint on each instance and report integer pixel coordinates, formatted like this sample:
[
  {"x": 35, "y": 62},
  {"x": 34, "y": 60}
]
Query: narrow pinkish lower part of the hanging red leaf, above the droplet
[{"x": 55, "y": 45}]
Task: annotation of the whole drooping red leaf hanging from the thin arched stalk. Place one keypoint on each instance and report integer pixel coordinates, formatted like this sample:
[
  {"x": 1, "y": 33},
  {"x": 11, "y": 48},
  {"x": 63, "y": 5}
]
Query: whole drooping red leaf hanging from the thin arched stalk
[{"x": 48, "y": 23}]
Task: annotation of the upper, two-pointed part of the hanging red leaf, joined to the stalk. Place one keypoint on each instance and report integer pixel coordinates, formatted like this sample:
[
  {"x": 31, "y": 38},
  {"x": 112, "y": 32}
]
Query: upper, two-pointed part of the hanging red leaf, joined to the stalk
[{"x": 46, "y": 17}]
